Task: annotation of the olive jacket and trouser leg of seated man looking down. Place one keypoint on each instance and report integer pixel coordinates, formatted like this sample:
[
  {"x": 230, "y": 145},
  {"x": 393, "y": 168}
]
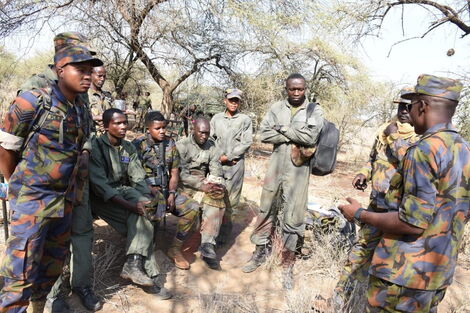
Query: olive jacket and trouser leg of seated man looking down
[{"x": 196, "y": 163}]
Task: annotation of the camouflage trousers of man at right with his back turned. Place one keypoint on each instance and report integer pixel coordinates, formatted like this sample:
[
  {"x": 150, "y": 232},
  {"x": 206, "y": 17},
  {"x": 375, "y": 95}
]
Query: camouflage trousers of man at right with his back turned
[{"x": 383, "y": 296}]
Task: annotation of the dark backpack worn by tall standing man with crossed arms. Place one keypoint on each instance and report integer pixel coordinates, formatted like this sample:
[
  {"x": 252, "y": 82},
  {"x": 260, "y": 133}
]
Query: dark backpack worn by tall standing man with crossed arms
[{"x": 323, "y": 161}]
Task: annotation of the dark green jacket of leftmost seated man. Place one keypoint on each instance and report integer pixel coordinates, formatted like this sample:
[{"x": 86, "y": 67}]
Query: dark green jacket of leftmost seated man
[{"x": 114, "y": 166}]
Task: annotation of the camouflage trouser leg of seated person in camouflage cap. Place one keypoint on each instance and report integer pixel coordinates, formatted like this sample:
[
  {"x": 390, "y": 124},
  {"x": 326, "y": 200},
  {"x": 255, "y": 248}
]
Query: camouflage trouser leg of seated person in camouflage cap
[{"x": 187, "y": 211}]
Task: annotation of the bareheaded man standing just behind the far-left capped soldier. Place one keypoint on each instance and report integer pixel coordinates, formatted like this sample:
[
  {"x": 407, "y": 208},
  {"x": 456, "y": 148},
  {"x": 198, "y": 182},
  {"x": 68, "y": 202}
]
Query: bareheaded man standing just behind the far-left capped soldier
[{"x": 100, "y": 100}]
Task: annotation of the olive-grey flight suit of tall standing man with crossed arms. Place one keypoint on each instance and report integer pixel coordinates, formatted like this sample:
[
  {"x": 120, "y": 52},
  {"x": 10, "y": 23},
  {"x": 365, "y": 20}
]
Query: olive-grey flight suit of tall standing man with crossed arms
[{"x": 283, "y": 178}]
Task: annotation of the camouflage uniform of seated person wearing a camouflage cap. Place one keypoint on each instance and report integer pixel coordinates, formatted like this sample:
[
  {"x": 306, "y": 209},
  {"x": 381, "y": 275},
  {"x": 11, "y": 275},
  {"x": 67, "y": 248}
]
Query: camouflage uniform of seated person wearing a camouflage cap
[{"x": 185, "y": 208}]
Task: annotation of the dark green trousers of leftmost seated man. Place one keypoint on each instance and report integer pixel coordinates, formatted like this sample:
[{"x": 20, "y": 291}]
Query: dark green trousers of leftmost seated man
[{"x": 138, "y": 230}]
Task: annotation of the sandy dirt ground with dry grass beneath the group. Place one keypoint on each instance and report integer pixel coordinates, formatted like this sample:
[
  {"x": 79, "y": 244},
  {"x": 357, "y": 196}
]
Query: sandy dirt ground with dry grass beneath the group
[{"x": 201, "y": 289}]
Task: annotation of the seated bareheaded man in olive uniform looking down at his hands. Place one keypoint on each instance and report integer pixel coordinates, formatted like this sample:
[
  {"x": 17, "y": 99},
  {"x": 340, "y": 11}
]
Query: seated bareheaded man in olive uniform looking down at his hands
[{"x": 200, "y": 160}]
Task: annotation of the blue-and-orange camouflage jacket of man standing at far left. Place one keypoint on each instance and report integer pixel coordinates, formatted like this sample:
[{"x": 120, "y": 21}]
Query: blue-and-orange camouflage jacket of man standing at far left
[{"x": 44, "y": 177}]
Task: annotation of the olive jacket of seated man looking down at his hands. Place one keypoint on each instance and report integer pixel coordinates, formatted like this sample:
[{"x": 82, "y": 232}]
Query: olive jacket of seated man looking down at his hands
[{"x": 196, "y": 163}]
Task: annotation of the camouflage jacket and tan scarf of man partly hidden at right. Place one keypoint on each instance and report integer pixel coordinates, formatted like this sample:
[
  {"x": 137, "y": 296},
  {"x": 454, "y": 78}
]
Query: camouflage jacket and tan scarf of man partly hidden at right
[{"x": 385, "y": 156}]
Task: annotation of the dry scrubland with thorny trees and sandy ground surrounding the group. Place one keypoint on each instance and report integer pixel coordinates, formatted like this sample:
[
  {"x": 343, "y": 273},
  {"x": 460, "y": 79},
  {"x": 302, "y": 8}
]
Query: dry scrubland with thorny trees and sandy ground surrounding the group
[{"x": 188, "y": 51}]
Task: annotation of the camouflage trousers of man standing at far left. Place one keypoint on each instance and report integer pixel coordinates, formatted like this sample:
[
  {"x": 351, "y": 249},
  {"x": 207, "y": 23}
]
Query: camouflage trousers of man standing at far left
[{"x": 33, "y": 259}]
